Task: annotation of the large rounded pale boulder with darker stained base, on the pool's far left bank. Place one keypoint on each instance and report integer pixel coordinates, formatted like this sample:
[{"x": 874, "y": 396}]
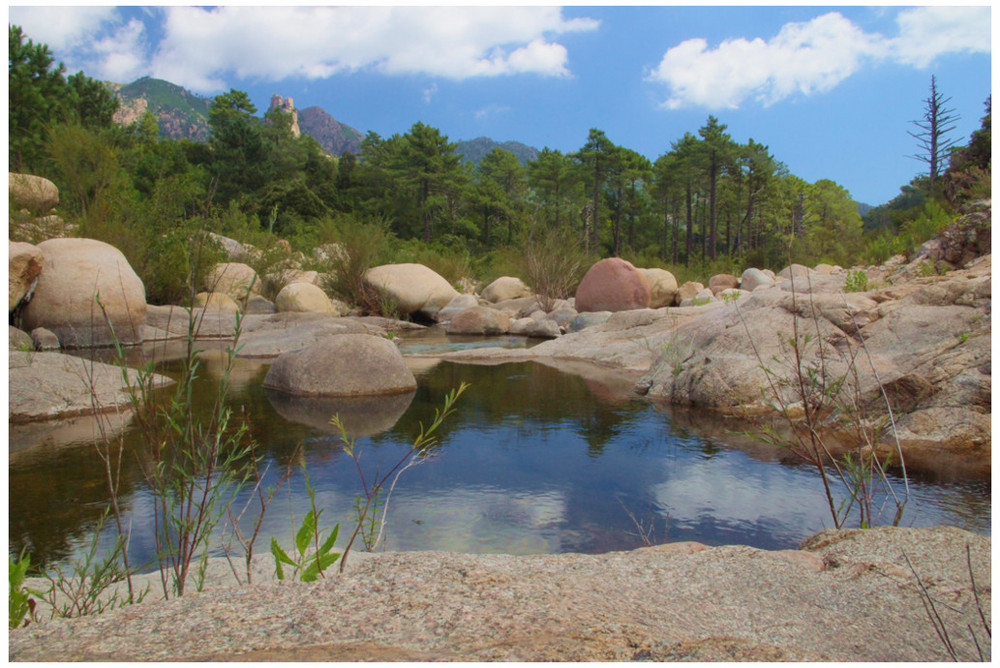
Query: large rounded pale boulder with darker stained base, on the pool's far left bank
[{"x": 74, "y": 272}]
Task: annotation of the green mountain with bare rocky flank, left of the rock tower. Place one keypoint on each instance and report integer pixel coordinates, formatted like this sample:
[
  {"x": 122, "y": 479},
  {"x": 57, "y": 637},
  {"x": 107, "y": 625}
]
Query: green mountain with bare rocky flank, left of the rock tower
[{"x": 180, "y": 113}]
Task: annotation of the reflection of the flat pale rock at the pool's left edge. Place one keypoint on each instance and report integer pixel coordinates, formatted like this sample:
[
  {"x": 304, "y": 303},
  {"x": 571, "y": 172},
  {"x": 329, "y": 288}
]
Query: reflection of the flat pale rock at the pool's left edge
[{"x": 34, "y": 440}]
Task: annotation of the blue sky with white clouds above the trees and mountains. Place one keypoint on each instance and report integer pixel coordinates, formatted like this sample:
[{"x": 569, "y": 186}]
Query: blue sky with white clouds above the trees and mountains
[{"x": 831, "y": 90}]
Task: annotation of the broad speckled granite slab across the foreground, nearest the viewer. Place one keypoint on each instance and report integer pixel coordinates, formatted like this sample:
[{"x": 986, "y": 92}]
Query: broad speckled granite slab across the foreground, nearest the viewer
[{"x": 843, "y": 596}]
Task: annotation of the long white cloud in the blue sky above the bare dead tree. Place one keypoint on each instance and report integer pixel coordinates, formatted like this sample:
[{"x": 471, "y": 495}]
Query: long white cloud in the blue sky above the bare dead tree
[{"x": 811, "y": 57}]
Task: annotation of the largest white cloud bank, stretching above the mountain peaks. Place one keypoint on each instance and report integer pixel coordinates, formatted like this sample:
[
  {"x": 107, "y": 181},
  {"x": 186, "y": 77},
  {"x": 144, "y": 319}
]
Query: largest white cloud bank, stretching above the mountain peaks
[{"x": 202, "y": 45}]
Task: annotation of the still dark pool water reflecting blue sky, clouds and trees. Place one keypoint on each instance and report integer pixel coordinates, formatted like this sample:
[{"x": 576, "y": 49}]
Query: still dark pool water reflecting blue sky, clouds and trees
[{"x": 535, "y": 460}]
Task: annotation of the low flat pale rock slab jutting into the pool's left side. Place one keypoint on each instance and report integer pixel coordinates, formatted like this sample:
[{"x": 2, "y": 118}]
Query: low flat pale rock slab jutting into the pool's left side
[{"x": 46, "y": 385}]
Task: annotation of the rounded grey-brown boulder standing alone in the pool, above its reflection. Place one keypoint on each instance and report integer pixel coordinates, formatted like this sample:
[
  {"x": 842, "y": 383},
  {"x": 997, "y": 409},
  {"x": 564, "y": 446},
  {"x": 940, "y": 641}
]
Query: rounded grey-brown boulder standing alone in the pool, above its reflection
[{"x": 342, "y": 365}]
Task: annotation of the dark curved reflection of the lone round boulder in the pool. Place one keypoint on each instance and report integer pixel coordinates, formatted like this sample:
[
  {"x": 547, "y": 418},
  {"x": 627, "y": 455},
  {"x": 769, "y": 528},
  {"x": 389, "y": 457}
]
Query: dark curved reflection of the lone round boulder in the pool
[{"x": 362, "y": 416}]
